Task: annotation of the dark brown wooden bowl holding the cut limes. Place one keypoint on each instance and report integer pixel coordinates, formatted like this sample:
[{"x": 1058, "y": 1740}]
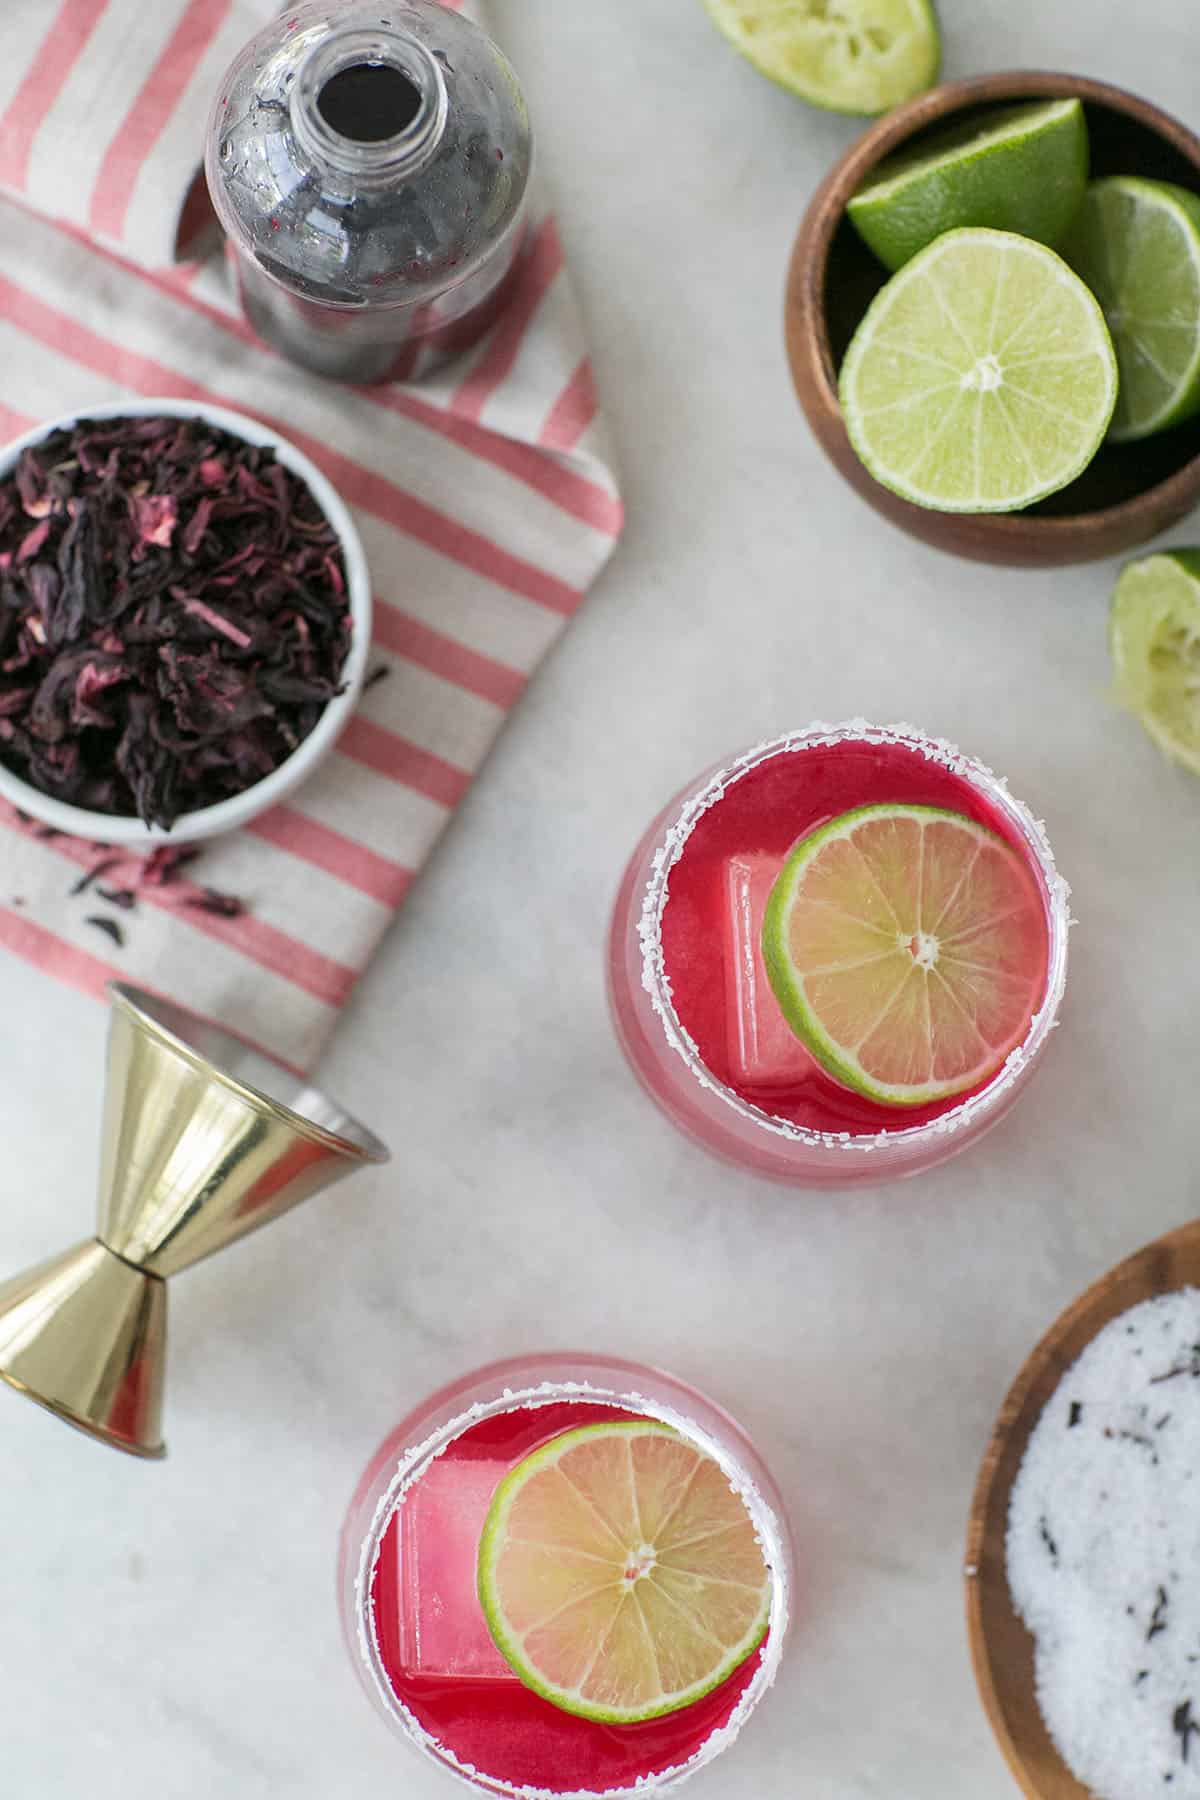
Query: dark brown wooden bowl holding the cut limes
[{"x": 1131, "y": 492}]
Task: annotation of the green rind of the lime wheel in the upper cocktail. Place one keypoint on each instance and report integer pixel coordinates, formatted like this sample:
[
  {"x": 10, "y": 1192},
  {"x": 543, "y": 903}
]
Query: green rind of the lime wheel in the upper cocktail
[{"x": 791, "y": 993}]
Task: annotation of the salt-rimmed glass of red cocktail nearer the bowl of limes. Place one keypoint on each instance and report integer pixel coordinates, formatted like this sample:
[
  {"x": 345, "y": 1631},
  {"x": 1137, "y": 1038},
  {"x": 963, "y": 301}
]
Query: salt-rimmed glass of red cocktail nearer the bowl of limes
[{"x": 751, "y": 809}]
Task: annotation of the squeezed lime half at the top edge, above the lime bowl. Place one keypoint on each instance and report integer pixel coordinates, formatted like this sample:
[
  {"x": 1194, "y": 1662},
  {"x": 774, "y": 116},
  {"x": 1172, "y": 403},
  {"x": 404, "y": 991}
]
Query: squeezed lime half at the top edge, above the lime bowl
[{"x": 857, "y": 57}]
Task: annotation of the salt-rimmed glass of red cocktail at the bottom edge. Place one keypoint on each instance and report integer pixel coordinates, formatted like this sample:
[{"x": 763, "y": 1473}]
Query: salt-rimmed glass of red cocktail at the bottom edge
[{"x": 407, "y": 1583}]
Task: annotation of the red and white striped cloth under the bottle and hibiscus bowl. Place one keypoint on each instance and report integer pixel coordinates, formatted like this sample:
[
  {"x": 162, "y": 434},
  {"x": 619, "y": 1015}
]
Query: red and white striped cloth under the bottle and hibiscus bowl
[{"x": 487, "y": 503}]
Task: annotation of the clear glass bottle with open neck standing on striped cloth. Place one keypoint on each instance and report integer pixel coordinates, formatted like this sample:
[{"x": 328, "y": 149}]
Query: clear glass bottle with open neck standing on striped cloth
[{"x": 372, "y": 168}]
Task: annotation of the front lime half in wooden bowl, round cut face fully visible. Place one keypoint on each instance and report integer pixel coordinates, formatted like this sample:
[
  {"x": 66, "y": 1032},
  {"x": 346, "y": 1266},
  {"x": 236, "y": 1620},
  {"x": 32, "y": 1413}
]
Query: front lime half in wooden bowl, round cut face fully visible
[{"x": 981, "y": 379}]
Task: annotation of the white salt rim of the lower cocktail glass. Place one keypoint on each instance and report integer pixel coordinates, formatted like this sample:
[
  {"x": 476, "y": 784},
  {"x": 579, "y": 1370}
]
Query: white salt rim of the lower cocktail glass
[{"x": 416, "y": 1461}]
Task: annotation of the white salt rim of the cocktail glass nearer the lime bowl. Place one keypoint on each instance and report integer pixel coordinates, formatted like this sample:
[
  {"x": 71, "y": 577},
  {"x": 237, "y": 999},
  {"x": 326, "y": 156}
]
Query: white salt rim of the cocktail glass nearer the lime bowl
[{"x": 658, "y": 984}]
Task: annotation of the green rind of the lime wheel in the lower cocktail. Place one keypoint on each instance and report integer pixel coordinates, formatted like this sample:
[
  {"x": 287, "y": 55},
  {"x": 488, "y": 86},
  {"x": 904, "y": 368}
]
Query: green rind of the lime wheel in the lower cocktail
[{"x": 508, "y": 1642}]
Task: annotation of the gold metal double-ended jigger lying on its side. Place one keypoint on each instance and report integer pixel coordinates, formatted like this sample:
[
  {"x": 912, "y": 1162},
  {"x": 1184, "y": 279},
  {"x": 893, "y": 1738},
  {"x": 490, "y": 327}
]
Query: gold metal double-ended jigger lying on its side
[{"x": 204, "y": 1140}]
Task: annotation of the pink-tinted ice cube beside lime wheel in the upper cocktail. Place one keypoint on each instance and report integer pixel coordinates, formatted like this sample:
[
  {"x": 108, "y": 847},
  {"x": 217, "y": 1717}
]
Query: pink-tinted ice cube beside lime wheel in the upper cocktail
[{"x": 764, "y": 1052}]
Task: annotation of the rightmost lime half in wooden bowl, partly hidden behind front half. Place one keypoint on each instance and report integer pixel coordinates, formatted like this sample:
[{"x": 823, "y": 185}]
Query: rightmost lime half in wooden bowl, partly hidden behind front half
[{"x": 1138, "y": 247}]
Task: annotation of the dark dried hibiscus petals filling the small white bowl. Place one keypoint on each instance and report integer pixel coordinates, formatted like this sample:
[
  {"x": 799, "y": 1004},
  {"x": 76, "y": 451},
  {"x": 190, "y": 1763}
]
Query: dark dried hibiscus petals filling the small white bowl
[{"x": 174, "y": 616}]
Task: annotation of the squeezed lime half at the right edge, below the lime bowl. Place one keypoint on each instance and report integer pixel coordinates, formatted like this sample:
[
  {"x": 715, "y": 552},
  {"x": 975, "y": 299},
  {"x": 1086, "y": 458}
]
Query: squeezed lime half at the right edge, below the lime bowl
[{"x": 1154, "y": 634}]
